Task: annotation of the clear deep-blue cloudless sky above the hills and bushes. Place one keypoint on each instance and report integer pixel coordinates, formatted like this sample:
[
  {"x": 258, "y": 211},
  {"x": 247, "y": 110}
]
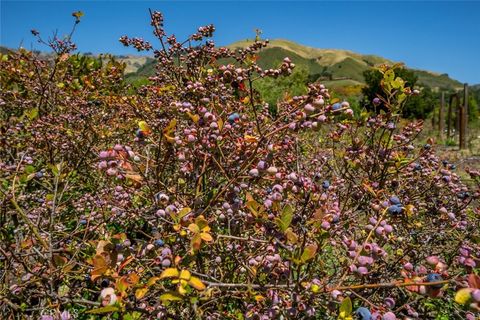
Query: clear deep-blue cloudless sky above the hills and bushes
[{"x": 437, "y": 36}]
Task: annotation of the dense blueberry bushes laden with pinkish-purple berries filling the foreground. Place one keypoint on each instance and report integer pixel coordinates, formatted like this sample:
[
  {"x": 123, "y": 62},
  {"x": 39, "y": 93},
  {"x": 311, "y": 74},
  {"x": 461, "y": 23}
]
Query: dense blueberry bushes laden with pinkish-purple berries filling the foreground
[{"x": 187, "y": 198}]
